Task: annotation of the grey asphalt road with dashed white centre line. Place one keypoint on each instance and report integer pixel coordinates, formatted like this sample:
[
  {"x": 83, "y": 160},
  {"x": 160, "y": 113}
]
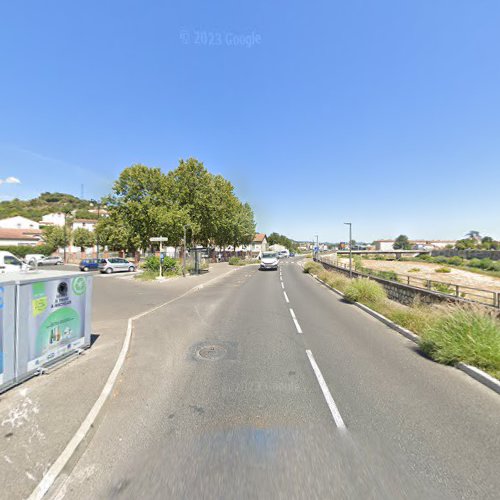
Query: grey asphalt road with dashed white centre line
[{"x": 219, "y": 398}]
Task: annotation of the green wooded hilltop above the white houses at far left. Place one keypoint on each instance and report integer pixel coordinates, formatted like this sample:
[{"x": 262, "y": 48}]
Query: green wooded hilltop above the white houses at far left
[{"x": 46, "y": 203}]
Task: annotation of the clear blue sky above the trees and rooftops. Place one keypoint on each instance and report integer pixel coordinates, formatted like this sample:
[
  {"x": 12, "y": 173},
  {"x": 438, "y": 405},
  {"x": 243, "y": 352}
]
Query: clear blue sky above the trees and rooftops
[{"x": 385, "y": 113}]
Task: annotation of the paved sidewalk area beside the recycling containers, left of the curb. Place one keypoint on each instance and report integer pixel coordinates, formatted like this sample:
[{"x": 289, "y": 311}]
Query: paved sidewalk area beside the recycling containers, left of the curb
[{"x": 39, "y": 417}]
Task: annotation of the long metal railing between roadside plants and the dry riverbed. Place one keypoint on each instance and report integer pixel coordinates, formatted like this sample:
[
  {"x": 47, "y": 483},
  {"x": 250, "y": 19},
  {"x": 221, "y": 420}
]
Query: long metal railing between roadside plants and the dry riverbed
[{"x": 479, "y": 295}]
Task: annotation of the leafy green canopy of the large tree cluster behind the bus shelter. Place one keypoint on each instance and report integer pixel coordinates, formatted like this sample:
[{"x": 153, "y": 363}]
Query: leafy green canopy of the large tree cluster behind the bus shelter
[{"x": 145, "y": 202}]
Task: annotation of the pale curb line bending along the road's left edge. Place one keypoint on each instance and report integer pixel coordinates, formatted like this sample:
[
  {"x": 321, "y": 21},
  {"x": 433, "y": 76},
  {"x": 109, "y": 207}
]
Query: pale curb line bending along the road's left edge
[{"x": 56, "y": 468}]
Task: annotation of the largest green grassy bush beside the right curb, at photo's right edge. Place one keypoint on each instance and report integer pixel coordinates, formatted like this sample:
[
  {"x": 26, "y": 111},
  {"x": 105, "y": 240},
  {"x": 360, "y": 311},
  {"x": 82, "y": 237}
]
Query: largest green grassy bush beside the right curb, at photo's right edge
[{"x": 466, "y": 335}]
